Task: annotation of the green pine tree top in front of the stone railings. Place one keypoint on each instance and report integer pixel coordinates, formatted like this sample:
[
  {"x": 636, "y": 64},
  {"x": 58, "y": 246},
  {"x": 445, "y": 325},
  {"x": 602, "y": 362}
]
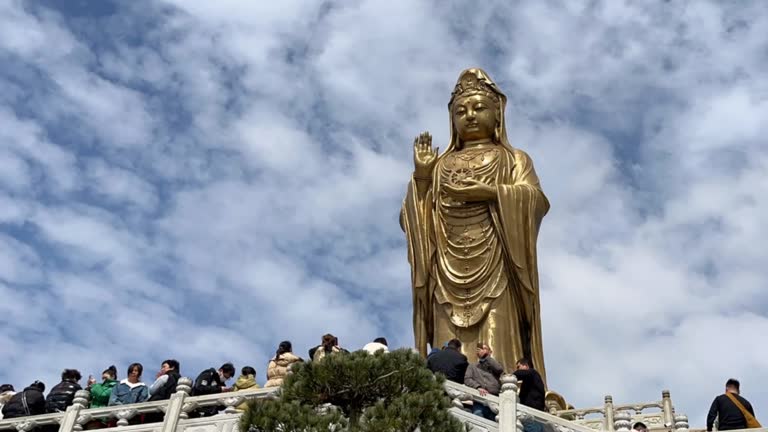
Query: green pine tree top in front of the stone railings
[{"x": 385, "y": 392}]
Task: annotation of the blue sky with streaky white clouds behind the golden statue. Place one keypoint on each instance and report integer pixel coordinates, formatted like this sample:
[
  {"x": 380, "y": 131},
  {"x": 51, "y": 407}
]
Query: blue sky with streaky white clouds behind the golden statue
[{"x": 202, "y": 180}]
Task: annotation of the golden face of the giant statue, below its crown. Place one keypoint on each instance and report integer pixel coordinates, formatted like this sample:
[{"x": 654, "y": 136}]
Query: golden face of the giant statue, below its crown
[{"x": 474, "y": 117}]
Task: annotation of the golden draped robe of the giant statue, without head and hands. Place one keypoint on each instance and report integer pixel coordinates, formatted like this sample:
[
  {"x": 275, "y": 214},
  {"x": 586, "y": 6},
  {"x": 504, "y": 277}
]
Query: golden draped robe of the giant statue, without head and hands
[{"x": 473, "y": 265}]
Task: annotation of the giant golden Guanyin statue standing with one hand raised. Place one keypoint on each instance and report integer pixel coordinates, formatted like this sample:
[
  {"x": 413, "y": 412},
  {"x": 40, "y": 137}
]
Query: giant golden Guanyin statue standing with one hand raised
[{"x": 471, "y": 216}]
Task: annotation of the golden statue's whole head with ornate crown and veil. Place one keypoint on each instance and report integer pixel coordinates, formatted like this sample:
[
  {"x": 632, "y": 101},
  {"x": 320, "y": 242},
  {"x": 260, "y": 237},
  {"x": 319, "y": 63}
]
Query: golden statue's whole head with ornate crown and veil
[{"x": 476, "y": 108}]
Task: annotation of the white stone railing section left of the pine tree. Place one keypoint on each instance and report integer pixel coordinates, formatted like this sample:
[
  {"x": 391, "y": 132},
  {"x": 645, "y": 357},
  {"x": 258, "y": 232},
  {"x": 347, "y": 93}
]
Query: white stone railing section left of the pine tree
[{"x": 175, "y": 410}]
